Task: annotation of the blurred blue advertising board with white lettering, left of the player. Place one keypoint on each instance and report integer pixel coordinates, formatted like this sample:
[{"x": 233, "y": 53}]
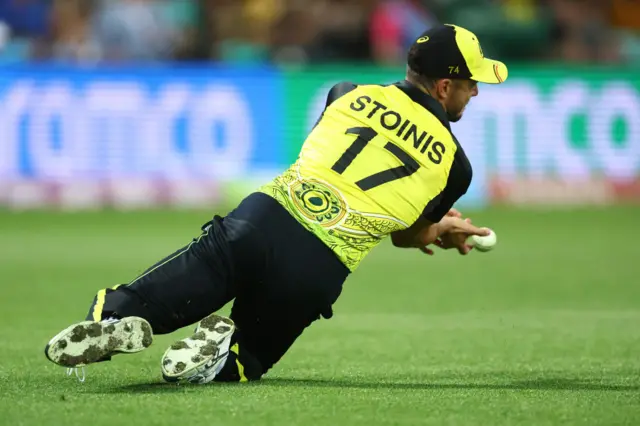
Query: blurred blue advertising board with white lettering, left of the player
[{"x": 88, "y": 137}]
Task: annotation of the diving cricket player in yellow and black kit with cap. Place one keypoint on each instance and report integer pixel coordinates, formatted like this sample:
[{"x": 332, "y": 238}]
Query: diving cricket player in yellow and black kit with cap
[{"x": 381, "y": 161}]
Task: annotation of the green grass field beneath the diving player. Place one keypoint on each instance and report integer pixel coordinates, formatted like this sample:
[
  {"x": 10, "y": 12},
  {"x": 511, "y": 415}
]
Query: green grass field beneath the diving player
[{"x": 545, "y": 330}]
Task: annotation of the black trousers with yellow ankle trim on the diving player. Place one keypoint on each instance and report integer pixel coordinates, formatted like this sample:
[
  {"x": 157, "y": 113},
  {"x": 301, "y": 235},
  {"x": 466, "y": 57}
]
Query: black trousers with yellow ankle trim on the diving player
[{"x": 280, "y": 276}]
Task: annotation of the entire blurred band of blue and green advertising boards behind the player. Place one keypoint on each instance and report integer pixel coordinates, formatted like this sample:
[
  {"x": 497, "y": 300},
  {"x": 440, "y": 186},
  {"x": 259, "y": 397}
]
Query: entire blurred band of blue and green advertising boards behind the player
[{"x": 195, "y": 136}]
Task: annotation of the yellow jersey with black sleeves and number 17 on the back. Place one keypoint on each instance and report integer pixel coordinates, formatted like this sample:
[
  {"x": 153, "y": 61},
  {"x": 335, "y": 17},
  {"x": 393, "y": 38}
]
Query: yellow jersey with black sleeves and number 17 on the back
[{"x": 378, "y": 158}]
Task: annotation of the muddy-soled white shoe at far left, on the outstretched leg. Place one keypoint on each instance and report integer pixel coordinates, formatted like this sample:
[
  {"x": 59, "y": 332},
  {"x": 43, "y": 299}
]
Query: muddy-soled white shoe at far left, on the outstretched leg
[{"x": 87, "y": 342}]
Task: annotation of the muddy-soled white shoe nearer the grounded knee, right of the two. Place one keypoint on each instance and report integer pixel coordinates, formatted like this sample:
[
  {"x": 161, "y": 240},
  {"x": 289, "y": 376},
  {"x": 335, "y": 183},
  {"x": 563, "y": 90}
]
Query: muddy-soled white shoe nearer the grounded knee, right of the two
[{"x": 200, "y": 357}]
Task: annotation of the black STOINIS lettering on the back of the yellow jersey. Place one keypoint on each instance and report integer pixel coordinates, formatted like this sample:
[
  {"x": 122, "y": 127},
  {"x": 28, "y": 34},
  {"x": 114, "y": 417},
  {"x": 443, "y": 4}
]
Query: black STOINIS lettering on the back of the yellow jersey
[{"x": 392, "y": 120}]
